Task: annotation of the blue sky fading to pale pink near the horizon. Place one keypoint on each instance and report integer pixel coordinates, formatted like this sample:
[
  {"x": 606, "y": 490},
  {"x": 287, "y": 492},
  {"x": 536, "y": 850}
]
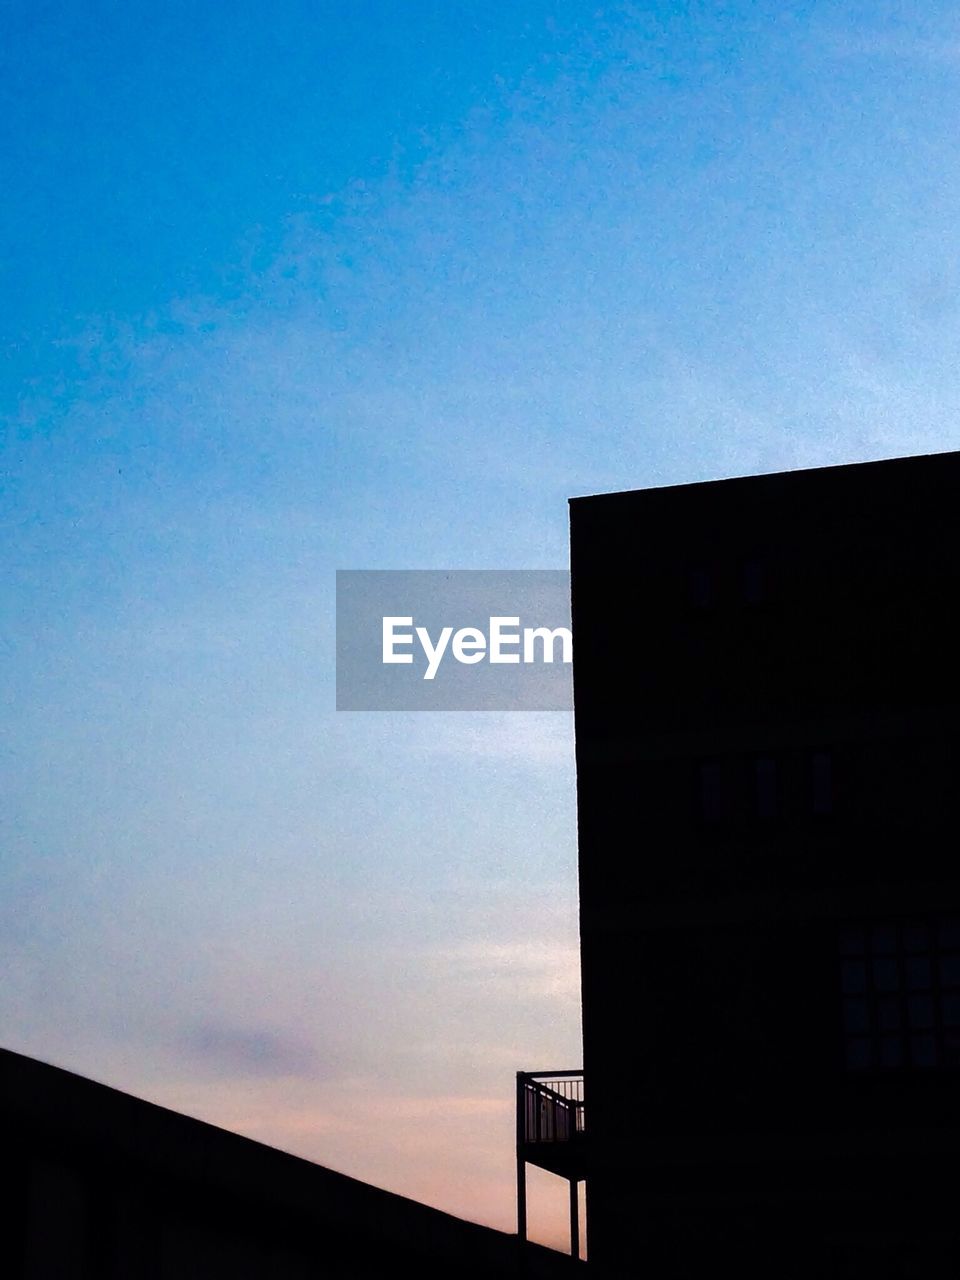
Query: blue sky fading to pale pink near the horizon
[{"x": 382, "y": 286}]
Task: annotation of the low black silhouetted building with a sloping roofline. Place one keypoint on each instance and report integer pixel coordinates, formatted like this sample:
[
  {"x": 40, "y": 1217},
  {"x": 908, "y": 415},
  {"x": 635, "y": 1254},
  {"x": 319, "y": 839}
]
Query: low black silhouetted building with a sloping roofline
[{"x": 107, "y": 1187}]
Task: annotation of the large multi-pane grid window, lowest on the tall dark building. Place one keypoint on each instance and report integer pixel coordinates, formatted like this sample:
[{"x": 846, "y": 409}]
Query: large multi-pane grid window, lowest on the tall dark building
[{"x": 900, "y": 995}]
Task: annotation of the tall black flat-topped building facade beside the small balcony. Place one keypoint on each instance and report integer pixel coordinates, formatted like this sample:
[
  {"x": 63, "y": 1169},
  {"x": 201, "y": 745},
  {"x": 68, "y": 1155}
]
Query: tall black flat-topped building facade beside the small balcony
[{"x": 766, "y": 700}]
